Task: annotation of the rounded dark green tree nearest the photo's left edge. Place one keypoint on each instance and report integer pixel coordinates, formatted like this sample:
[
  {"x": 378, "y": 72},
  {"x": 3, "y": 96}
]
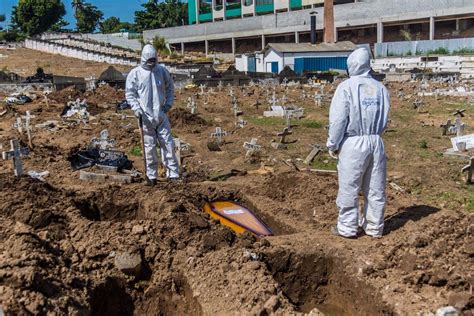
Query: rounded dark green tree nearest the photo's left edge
[{"x": 33, "y": 17}]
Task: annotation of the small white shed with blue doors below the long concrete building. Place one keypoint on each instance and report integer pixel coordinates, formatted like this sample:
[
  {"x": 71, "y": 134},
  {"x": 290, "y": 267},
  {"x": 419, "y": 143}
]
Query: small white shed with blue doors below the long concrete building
[{"x": 299, "y": 57}]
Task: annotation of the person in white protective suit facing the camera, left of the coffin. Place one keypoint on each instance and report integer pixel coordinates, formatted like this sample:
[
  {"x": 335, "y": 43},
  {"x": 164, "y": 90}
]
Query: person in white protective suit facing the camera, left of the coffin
[{"x": 150, "y": 92}]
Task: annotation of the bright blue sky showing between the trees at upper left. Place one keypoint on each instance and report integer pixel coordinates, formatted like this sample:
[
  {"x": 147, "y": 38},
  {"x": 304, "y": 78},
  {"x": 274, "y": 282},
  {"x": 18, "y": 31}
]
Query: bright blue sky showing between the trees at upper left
[{"x": 123, "y": 9}]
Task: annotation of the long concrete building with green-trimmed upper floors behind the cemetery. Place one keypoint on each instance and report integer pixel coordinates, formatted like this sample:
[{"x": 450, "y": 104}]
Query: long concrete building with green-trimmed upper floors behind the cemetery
[{"x": 286, "y": 21}]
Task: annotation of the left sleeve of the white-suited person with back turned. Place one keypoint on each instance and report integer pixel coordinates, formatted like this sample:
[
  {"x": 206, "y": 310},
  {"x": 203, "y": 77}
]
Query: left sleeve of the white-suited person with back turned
[{"x": 338, "y": 118}]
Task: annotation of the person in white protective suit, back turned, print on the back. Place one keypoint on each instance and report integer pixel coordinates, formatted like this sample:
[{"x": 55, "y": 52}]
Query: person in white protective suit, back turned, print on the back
[{"x": 357, "y": 119}]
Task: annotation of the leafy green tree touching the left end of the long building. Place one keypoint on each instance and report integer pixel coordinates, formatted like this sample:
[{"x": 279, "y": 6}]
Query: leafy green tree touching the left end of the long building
[{"x": 161, "y": 14}]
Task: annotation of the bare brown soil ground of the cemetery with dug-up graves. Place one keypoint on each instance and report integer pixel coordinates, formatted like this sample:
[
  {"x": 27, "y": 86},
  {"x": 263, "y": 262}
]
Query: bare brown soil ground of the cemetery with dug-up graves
[{"x": 60, "y": 239}]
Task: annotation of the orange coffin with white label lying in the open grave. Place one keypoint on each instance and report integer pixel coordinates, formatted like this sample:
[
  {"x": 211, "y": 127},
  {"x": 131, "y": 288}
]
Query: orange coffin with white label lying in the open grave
[{"x": 237, "y": 217}]
